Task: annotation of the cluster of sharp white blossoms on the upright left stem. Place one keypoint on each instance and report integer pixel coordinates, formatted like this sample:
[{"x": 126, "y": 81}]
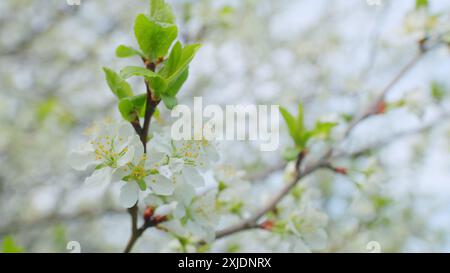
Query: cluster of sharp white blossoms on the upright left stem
[{"x": 169, "y": 175}]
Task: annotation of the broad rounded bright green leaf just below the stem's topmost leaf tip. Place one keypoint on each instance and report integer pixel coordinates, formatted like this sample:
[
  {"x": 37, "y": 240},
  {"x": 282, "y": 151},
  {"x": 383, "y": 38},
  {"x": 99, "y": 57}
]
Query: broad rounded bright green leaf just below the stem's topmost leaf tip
[{"x": 154, "y": 38}]
